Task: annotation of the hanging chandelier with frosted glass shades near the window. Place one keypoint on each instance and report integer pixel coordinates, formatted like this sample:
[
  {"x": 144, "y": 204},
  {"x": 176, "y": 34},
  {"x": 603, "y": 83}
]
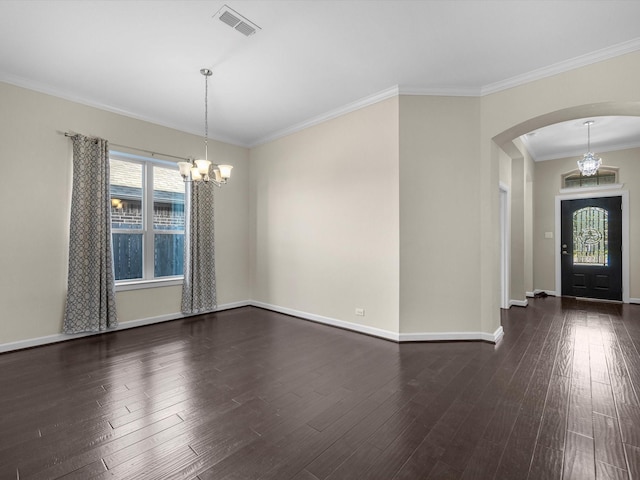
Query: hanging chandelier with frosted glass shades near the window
[{"x": 198, "y": 171}]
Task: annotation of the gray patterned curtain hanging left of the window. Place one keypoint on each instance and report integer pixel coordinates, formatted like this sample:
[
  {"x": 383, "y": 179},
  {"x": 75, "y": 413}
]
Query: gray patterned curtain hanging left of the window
[{"x": 91, "y": 305}]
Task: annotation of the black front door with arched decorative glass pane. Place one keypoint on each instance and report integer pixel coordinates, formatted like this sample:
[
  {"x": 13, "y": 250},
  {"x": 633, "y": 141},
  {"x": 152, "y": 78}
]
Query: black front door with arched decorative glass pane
[{"x": 592, "y": 248}]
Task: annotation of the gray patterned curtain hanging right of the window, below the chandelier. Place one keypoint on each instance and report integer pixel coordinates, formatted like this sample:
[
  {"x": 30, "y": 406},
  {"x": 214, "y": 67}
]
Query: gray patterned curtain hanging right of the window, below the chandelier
[{"x": 199, "y": 286}]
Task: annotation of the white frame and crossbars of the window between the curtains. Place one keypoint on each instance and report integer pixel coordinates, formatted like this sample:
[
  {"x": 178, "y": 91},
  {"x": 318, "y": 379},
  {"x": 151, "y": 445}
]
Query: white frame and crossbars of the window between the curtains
[{"x": 148, "y": 279}]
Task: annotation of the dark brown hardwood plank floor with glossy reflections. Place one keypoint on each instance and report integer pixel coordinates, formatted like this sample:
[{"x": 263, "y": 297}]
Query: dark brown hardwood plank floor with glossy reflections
[{"x": 251, "y": 394}]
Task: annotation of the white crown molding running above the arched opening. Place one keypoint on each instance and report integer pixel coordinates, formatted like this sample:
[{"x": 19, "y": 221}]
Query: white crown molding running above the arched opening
[{"x": 564, "y": 66}]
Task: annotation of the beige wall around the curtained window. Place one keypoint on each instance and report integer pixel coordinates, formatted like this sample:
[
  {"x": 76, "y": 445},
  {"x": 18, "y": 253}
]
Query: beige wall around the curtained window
[{"x": 33, "y": 242}]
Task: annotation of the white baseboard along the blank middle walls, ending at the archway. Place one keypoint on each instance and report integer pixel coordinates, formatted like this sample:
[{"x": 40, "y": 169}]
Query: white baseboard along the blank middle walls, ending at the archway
[{"x": 386, "y": 334}]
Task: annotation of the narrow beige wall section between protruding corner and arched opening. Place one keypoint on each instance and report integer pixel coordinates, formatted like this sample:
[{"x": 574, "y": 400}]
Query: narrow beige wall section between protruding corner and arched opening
[{"x": 439, "y": 214}]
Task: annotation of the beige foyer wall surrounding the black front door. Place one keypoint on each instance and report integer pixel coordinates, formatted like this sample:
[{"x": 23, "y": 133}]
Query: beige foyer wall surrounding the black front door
[{"x": 548, "y": 182}]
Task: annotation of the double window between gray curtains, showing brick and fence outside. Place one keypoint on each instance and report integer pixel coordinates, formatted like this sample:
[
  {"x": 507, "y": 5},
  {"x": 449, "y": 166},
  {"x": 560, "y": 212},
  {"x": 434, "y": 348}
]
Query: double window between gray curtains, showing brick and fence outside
[{"x": 147, "y": 218}]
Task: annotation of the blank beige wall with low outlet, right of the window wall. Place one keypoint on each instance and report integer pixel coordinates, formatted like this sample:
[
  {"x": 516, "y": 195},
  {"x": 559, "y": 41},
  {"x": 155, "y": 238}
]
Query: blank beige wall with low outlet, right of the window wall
[{"x": 325, "y": 218}]
